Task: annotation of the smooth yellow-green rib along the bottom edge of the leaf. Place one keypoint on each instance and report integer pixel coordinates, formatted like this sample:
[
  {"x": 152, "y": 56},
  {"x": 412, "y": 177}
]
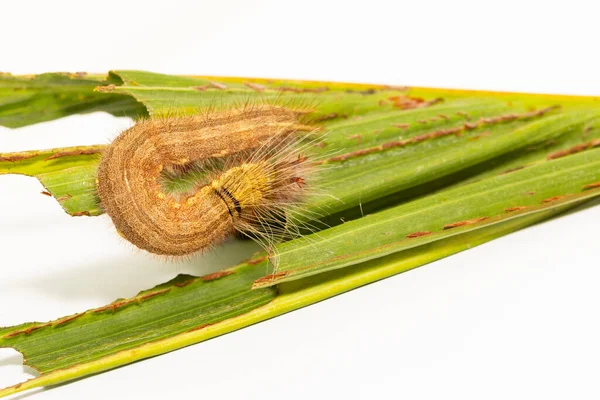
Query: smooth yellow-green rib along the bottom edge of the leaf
[{"x": 292, "y": 295}]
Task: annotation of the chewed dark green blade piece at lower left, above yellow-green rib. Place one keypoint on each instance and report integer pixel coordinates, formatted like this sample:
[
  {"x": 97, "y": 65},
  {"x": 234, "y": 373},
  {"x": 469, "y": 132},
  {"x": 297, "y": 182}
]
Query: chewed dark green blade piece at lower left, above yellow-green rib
[{"x": 181, "y": 305}]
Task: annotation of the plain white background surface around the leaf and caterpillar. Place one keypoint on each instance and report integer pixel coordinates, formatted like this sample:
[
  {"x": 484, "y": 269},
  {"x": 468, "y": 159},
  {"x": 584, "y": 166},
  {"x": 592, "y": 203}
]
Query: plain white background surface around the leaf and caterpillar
[{"x": 516, "y": 318}]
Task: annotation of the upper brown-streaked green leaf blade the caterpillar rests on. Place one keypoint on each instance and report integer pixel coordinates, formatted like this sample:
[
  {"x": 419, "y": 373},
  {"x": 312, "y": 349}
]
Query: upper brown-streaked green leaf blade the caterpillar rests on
[{"x": 484, "y": 135}]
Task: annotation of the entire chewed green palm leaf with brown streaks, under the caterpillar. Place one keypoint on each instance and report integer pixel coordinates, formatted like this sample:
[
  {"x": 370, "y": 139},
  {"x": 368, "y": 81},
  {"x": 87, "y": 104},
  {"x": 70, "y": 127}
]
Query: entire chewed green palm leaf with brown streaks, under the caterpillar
[{"x": 415, "y": 160}]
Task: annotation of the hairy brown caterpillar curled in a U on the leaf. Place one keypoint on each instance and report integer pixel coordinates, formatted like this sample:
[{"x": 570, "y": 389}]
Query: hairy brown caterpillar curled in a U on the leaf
[{"x": 253, "y": 172}]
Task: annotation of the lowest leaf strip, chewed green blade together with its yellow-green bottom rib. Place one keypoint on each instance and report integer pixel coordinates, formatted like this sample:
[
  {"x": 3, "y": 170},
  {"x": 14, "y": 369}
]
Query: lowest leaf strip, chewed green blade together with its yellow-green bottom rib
[{"x": 38, "y": 341}]
